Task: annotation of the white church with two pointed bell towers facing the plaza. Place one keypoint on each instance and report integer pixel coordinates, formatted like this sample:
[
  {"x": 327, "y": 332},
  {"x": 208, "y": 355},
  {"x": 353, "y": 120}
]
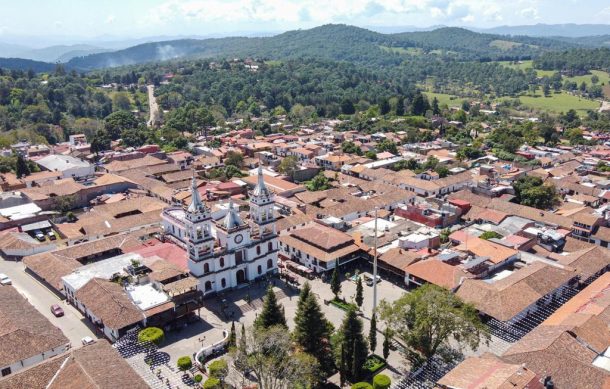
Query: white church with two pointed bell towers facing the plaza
[{"x": 229, "y": 252}]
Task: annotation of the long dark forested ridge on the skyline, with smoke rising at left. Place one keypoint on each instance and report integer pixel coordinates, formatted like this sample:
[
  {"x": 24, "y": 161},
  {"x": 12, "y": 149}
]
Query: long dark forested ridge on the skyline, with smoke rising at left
[{"x": 333, "y": 42}]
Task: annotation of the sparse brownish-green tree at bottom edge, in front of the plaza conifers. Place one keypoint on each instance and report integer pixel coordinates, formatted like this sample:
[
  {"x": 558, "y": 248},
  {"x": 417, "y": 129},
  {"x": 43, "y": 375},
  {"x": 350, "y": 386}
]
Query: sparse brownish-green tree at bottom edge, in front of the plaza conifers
[{"x": 274, "y": 362}]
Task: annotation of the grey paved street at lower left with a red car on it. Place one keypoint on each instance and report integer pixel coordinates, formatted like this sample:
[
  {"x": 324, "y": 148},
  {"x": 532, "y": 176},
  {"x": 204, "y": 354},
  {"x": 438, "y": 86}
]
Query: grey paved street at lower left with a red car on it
[{"x": 72, "y": 324}]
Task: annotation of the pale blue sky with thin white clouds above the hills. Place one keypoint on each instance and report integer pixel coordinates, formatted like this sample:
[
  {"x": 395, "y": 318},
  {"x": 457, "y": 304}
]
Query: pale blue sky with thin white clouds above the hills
[{"x": 138, "y": 18}]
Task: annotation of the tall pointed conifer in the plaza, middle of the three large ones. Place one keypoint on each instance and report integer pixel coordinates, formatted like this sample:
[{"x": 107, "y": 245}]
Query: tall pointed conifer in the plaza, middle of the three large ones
[{"x": 312, "y": 331}]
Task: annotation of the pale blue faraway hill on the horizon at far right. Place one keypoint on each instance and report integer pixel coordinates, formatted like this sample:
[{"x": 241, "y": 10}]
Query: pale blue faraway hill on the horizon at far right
[{"x": 569, "y": 30}]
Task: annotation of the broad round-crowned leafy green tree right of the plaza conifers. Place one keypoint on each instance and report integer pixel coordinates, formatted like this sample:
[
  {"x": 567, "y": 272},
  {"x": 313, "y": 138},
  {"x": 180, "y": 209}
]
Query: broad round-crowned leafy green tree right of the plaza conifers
[{"x": 431, "y": 317}]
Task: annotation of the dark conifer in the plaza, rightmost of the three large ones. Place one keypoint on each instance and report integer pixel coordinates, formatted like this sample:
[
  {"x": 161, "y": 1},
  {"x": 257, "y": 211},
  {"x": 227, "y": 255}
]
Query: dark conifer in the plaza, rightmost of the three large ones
[{"x": 351, "y": 348}]
